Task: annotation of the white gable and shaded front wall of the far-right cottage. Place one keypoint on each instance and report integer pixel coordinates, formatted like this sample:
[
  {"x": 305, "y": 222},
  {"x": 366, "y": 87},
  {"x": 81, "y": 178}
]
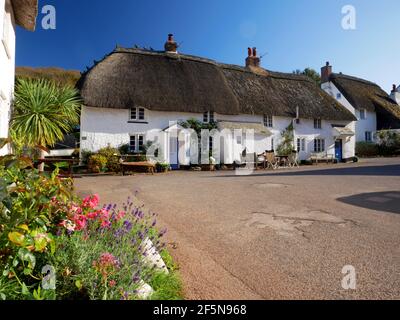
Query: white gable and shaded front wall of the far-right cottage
[{"x": 368, "y": 124}]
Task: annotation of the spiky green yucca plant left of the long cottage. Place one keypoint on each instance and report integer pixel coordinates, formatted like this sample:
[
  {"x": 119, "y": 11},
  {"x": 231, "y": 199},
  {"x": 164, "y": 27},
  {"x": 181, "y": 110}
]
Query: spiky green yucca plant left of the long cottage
[{"x": 44, "y": 112}]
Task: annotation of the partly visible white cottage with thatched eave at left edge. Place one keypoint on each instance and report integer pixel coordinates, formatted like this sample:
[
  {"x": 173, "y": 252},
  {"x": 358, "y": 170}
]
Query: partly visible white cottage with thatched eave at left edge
[{"x": 12, "y": 13}]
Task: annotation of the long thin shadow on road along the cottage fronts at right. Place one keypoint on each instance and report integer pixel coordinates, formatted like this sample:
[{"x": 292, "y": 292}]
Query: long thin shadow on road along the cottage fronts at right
[{"x": 388, "y": 170}]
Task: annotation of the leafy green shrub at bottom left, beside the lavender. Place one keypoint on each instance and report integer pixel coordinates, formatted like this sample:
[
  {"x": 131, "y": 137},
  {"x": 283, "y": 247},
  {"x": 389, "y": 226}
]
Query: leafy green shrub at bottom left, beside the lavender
[{"x": 29, "y": 215}]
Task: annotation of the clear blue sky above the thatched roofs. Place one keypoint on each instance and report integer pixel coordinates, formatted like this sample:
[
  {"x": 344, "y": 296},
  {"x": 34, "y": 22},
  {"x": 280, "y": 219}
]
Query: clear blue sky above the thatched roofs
[{"x": 295, "y": 34}]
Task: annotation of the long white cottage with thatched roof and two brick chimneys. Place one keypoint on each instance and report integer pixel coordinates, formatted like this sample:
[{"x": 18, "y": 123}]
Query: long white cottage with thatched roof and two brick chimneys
[{"x": 133, "y": 96}]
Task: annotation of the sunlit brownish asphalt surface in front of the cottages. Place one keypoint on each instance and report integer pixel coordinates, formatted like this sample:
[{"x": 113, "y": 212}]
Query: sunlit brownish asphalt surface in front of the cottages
[{"x": 285, "y": 234}]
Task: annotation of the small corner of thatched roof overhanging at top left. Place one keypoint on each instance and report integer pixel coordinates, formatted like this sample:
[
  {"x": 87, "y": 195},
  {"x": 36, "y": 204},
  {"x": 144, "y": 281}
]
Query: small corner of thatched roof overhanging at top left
[{"x": 25, "y": 12}]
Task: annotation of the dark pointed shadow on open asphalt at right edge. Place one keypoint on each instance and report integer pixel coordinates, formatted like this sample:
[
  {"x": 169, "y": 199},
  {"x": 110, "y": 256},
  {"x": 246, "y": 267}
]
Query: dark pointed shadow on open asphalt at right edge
[{"x": 388, "y": 201}]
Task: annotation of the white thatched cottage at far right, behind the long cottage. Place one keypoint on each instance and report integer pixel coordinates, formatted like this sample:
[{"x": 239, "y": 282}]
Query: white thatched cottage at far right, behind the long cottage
[{"x": 366, "y": 100}]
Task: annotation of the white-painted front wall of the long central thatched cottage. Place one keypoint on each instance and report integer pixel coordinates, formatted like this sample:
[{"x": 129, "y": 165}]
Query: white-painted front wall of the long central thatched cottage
[{"x": 102, "y": 127}]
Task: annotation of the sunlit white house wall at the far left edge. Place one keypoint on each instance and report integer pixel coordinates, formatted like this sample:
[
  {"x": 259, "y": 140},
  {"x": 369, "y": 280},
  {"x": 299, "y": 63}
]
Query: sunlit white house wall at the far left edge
[{"x": 7, "y": 67}]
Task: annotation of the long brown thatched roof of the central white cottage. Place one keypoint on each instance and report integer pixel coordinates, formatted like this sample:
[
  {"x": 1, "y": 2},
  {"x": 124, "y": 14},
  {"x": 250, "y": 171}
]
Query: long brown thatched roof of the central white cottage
[{"x": 175, "y": 82}]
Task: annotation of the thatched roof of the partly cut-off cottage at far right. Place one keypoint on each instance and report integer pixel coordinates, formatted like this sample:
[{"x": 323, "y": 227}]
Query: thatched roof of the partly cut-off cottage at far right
[{"x": 363, "y": 94}]
